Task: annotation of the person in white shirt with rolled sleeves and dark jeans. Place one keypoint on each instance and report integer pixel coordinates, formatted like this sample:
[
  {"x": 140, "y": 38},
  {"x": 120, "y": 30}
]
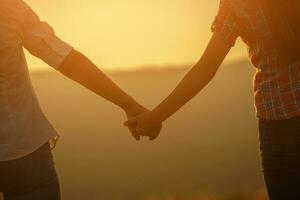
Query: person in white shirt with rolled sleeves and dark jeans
[{"x": 26, "y": 165}]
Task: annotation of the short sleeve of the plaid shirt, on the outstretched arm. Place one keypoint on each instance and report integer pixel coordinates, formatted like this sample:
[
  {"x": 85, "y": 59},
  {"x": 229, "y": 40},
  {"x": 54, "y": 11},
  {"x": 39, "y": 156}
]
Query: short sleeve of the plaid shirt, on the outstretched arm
[{"x": 226, "y": 23}]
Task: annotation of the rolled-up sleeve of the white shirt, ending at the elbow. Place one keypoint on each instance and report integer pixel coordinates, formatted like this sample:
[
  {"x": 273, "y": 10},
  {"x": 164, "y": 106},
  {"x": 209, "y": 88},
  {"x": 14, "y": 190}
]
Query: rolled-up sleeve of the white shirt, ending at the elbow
[{"x": 40, "y": 39}]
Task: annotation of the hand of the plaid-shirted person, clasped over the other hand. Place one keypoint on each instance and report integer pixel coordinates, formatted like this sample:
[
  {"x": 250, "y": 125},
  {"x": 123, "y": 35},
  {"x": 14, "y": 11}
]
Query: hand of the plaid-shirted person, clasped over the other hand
[{"x": 145, "y": 125}]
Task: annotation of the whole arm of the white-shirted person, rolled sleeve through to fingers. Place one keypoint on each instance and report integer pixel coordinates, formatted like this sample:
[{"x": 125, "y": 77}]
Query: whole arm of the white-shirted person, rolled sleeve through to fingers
[{"x": 39, "y": 38}]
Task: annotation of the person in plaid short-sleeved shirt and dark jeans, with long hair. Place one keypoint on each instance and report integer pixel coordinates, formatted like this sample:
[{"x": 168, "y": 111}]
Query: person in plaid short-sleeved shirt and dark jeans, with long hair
[{"x": 270, "y": 30}]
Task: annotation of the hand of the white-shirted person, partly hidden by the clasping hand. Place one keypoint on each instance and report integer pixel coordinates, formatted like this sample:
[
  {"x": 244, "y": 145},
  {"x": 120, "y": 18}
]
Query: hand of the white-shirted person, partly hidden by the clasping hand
[{"x": 131, "y": 112}]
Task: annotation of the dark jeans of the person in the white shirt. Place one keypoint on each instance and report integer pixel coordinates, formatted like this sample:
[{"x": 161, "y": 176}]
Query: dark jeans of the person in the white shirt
[{"x": 32, "y": 177}]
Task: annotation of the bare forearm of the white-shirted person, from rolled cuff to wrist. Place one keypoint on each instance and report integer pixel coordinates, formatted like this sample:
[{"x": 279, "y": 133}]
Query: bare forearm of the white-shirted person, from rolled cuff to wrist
[{"x": 80, "y": 69}]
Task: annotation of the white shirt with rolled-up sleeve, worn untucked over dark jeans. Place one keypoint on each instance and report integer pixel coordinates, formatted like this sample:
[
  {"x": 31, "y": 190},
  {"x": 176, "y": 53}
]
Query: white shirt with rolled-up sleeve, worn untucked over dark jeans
[{"x": 23, "y": 126}]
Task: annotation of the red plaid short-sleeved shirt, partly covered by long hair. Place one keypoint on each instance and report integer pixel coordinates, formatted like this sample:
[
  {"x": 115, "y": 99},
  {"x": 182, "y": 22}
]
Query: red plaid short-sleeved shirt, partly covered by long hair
[{"x": 276, "y": 89}]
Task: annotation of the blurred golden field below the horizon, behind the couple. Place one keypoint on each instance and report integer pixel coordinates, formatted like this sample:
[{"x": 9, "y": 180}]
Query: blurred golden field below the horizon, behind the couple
[{"x": 208, "y": 151}]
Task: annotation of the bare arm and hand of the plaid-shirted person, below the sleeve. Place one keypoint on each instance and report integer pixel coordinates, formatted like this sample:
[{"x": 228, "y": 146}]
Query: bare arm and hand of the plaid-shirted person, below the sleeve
[{"x": 194, "y": 81}]
